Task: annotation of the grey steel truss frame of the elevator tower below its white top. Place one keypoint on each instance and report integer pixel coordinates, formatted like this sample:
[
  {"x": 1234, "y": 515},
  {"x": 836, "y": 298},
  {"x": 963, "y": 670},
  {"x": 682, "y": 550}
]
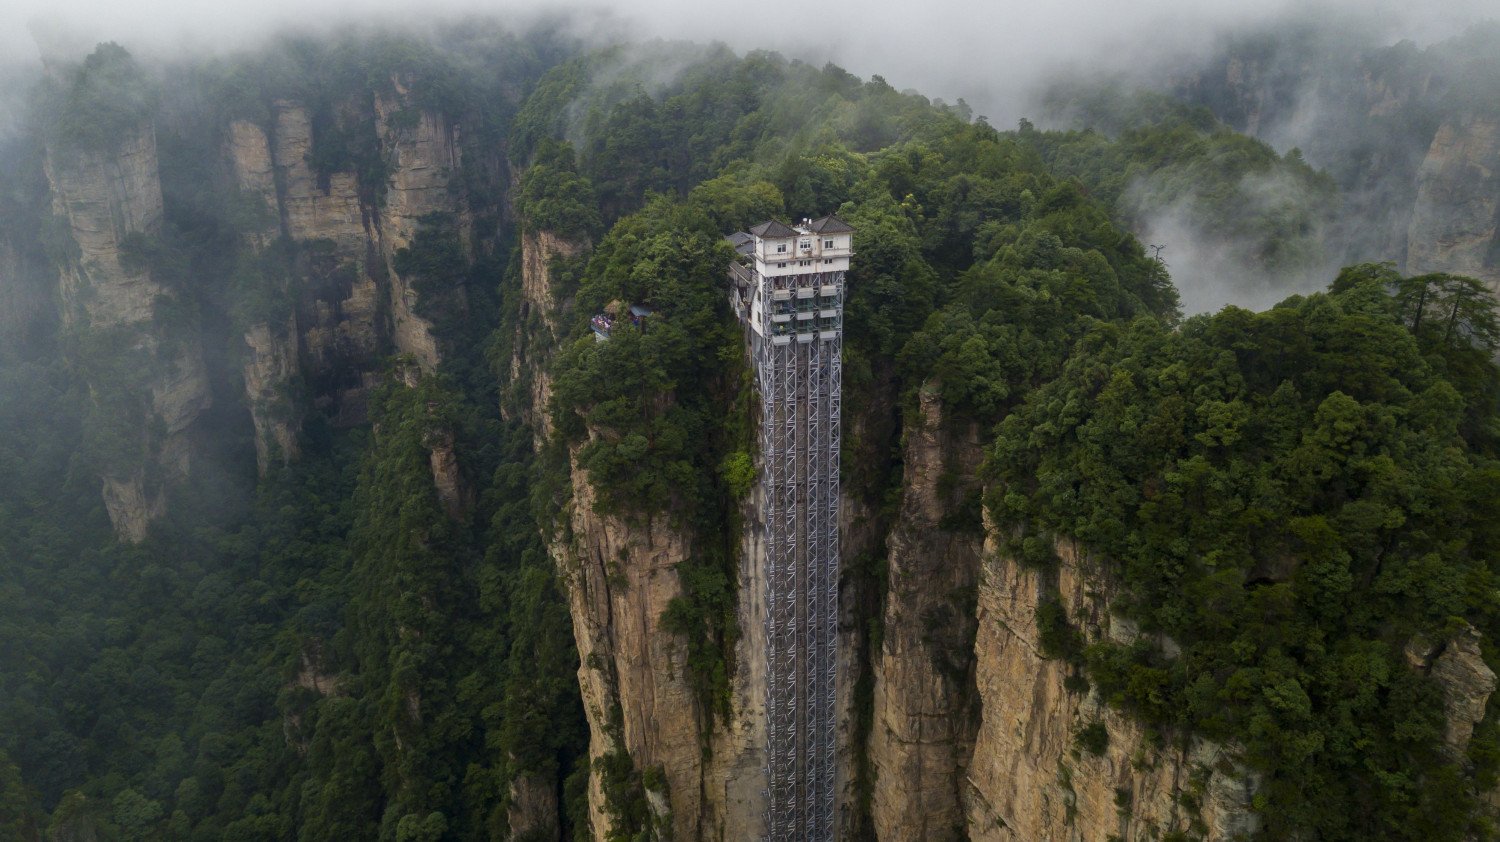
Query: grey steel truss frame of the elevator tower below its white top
[{"x": 800, "y": 444}]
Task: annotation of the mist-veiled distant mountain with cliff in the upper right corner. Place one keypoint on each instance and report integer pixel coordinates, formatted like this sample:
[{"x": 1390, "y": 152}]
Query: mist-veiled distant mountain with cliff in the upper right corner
[{"x": 1417, "y": 166}]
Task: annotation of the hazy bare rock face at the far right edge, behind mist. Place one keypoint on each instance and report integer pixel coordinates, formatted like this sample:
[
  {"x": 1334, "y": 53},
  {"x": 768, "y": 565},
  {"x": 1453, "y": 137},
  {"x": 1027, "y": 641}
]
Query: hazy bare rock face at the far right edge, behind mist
[{"x": 1459, "y": 202}]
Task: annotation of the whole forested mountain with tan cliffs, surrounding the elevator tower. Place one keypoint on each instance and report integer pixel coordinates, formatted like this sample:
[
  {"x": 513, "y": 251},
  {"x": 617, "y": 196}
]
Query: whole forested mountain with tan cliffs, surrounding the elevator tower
[{"x": 323, "y": 514}]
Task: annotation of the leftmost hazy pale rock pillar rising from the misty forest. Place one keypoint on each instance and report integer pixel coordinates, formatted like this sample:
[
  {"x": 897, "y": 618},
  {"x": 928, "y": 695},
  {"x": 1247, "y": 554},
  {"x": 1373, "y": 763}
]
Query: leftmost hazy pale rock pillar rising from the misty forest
[{"x": 107, "y": 199}]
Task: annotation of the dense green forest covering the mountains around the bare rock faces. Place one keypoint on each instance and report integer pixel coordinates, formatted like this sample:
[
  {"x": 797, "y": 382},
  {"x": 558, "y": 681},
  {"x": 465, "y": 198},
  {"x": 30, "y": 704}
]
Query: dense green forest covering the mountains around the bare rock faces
[{"x": 331, "y": 652}]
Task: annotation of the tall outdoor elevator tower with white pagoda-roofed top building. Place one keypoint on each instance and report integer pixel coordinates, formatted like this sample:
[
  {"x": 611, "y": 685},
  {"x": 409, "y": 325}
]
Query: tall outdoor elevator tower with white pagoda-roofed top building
[{"x": 790, "y": 295}]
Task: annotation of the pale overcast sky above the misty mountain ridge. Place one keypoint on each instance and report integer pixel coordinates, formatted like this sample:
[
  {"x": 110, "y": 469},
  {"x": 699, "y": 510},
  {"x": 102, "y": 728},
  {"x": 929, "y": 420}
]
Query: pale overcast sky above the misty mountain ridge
[{"x": 983, "y": 50}]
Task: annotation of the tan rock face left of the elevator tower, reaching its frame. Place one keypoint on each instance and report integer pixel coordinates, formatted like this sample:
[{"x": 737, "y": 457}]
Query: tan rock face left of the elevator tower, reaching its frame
[{"x": 634, "y": 673}]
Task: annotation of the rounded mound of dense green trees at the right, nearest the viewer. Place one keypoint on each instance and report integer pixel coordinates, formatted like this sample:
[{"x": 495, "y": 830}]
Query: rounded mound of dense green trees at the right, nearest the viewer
[{"x": 1342, "y": 430}]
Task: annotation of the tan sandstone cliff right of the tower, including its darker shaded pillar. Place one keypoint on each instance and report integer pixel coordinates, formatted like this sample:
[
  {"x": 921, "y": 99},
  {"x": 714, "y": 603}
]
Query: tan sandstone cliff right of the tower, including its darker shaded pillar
[{"x": 974, "y": 733}]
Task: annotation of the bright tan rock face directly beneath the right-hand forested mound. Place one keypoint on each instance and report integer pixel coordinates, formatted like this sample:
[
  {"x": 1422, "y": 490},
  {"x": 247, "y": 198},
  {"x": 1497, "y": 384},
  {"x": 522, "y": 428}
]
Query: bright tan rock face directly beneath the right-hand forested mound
[{"x": 1030, "y": 780}]
